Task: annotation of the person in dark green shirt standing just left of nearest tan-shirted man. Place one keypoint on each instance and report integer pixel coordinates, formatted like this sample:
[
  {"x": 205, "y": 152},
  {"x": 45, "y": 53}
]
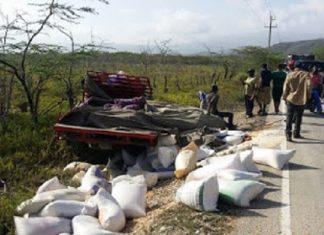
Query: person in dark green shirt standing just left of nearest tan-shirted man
[{"x": 278, "y": 81}]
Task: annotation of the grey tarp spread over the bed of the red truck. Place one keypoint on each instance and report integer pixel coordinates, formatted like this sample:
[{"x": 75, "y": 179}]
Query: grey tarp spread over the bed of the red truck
[{"x": 163, "y": 118}]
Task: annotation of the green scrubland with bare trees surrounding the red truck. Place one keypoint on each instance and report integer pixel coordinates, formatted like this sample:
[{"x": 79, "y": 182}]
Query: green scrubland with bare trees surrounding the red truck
[{"x": 40, "y": 82}]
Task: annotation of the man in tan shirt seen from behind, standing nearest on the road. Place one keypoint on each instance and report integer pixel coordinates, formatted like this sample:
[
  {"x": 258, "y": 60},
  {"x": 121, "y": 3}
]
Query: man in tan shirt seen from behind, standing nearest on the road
[{"x": 297, "y": 91}]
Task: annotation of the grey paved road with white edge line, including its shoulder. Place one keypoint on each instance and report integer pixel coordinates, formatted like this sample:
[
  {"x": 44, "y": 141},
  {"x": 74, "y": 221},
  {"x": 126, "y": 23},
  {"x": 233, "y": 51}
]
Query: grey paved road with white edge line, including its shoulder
[{"x": 294, "y": 202}]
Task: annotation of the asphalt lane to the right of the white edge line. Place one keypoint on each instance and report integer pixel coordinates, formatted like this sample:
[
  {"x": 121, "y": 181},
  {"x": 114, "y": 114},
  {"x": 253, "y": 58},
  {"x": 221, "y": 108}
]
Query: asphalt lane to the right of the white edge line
[{"x": 307, "y": 179}]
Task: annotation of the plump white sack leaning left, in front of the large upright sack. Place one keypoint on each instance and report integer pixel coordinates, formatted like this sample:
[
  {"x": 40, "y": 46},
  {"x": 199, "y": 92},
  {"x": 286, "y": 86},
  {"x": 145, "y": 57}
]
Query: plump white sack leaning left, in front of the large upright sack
[{"x": 111, "y": 215}]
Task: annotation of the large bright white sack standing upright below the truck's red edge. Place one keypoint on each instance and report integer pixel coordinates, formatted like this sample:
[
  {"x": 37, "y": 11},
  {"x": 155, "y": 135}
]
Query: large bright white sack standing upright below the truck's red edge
[{"x": 130, "y": 193}]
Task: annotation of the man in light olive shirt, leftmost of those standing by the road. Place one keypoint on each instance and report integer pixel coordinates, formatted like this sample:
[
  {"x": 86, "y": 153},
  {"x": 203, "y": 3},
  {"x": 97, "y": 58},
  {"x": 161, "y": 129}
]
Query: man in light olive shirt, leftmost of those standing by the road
[{"x": 250, "y": 86}]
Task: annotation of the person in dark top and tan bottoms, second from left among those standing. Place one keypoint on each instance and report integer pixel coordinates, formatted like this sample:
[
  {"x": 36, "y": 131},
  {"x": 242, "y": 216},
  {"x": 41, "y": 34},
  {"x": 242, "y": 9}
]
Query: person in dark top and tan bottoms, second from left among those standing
[{"x": 263, "y": 96}]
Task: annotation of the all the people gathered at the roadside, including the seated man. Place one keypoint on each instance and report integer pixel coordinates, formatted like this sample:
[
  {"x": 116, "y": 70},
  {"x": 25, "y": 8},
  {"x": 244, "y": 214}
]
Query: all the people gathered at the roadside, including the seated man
[{"x": 296, "y": 87}]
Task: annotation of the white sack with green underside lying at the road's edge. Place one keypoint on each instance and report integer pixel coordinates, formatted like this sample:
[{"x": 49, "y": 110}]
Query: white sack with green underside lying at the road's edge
[{"x": 239, "y": 192}]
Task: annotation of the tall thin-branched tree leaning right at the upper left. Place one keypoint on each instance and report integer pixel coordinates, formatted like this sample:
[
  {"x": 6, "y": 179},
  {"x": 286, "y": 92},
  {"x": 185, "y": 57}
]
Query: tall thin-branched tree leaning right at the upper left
[{"x": 18, "y": 61}]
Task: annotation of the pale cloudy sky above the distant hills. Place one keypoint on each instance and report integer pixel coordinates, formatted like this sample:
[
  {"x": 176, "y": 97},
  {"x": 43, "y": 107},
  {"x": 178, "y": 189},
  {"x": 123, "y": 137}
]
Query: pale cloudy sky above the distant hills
[{"x": 191, "y": 25}]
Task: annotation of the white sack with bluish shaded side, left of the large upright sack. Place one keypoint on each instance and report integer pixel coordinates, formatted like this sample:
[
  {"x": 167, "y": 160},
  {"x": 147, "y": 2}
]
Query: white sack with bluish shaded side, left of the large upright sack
[{"x": 93, "y": 180}]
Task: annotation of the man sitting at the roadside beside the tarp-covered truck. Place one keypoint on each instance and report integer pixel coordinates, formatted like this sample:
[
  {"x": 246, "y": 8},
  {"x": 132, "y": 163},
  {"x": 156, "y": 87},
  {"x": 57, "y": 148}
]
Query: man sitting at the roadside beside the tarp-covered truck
[{"x": 212, "y": 103}]
